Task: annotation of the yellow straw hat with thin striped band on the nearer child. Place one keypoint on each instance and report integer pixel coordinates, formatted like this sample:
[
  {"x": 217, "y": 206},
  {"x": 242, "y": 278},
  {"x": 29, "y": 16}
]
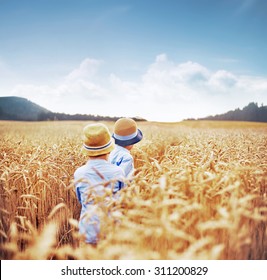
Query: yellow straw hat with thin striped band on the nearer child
[{"x": 97, "y": 140}]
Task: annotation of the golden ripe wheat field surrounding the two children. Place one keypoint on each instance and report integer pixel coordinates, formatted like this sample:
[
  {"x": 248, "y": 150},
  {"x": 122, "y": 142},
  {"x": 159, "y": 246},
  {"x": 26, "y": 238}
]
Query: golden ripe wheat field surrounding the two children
[{"x": 199, "y": 193}]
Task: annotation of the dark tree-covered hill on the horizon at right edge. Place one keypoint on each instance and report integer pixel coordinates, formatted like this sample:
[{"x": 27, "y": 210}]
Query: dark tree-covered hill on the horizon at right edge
[{"x": 252, "y": 112}]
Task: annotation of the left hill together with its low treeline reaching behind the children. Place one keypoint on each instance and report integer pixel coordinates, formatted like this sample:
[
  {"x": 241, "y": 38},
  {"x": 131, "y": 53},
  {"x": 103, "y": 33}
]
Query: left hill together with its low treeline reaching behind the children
[{"x": 22, "y": 109}]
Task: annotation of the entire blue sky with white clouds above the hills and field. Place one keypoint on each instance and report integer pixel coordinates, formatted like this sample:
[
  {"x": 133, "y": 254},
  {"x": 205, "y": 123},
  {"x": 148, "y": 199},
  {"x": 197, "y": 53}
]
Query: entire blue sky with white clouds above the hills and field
[{"x": 163, "y": 60}]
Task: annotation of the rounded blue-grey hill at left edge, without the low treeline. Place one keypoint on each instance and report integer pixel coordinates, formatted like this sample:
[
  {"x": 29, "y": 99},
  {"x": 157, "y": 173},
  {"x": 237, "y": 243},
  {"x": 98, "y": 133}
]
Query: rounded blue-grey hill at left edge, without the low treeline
[{"x": 17, "y": 108}]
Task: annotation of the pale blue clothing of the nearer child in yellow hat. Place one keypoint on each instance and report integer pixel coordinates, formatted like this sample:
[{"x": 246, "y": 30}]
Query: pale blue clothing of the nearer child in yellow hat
[{"x": 89, "y": 182}]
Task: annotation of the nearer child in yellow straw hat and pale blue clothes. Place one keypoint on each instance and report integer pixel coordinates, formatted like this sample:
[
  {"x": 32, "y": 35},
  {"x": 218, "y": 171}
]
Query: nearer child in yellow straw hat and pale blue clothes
[{"x": 97, "y": 179}]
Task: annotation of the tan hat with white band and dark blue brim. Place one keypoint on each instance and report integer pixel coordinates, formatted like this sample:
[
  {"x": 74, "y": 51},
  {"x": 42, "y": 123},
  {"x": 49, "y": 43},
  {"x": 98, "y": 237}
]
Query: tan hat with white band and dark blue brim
[{"x": 126, "y": 132}]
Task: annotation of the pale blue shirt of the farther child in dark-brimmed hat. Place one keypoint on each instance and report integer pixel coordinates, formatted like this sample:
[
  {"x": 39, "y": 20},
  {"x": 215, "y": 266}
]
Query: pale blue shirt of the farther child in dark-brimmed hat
[{"x": 122, "y": 157}]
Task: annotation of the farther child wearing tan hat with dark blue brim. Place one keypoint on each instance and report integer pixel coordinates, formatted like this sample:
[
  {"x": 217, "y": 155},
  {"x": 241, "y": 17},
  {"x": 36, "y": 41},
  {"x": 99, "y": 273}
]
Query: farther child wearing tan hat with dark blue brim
[{"x": 126, "y": 134}]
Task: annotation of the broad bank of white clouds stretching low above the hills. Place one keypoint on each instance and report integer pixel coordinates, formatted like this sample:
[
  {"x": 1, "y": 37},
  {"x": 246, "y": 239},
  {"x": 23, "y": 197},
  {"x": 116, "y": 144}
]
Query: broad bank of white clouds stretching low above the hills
[{"x": 166, "y": 91}]
